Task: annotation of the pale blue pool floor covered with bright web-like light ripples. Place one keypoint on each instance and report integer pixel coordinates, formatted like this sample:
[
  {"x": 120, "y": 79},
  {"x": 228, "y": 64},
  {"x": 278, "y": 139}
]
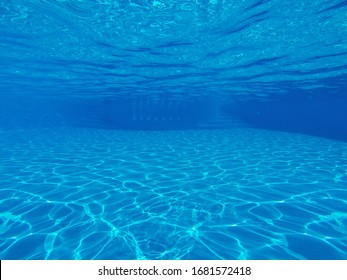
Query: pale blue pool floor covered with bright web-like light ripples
[{"x": 223, "y": 194}]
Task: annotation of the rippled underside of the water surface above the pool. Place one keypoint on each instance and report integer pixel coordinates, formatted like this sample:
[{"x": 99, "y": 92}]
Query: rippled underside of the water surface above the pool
[{"x": 189, "y": 48}]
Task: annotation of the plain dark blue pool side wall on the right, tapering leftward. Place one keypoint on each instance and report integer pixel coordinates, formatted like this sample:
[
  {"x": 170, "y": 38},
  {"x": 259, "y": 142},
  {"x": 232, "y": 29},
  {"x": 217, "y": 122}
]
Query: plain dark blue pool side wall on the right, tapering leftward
[{"x": 322, "y": 118}]
